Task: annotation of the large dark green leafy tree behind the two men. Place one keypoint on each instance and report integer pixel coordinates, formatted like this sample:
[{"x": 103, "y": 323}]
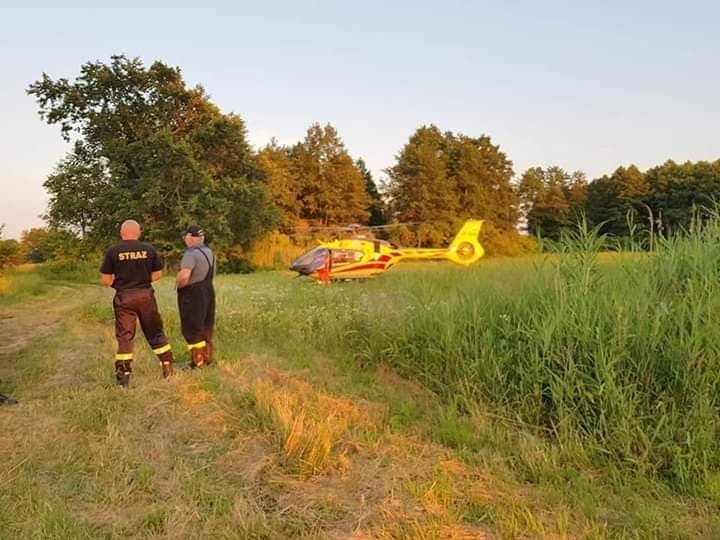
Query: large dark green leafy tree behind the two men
[{"x": 148, "y": 147}]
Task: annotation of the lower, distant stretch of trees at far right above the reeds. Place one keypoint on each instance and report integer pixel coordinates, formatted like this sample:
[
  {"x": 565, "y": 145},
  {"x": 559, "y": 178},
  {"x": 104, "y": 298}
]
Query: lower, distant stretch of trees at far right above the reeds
[{"x": 665, "y": 199}]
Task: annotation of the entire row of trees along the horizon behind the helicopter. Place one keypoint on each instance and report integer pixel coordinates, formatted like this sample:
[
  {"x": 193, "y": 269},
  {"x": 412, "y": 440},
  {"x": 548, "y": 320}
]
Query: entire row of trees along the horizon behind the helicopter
[{"x": 147, "y": 146}]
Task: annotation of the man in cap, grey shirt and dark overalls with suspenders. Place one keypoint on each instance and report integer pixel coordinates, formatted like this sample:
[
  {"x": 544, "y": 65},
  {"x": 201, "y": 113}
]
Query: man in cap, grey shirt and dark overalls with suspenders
[{"x": 196, "y": 296}]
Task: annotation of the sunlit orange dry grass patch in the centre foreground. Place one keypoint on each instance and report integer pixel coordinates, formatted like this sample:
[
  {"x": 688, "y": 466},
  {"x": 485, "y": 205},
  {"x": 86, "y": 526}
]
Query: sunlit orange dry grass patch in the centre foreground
[{"x": 339, "y": 466}]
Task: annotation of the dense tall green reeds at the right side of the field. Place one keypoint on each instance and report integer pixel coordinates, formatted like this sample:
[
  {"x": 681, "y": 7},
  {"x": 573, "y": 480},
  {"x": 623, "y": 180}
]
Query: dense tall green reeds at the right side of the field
[{"x": 620, "y": 357}]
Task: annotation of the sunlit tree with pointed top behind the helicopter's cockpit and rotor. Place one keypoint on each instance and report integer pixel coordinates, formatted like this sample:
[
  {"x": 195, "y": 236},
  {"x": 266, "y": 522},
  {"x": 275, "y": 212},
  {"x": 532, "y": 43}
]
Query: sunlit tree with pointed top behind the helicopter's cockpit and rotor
[{"x": 331, "y": 186}]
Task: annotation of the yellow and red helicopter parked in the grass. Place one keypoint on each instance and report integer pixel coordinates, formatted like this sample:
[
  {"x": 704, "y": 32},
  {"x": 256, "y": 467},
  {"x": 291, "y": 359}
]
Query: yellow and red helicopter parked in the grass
[{"x": 360, "y": 257}]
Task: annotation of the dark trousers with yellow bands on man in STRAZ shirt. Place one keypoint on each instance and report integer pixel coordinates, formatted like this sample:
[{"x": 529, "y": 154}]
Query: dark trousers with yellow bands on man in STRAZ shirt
[{"x": 131, "y": 305}]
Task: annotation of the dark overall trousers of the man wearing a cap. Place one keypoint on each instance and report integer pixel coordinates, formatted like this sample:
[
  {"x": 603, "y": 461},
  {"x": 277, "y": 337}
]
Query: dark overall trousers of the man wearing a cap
[{"x": 196, "y": 303}]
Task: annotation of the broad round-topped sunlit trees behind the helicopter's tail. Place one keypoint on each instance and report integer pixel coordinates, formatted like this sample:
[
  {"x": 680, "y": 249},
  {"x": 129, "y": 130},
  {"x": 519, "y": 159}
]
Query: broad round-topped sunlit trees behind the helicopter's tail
[{"x": 442, "y": 179}]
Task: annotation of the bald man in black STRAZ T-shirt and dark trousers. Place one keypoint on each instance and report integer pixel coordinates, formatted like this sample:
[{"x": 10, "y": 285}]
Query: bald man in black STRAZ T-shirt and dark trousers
[{"x": 130, "y": 267}]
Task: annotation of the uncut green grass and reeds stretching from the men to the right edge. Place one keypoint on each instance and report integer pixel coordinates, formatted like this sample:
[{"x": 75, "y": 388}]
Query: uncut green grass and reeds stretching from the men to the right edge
[{"x": 617, "y": 355}]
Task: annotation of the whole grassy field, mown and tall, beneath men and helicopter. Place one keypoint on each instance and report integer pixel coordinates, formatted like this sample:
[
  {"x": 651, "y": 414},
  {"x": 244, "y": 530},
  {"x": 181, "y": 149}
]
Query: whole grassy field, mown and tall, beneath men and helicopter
[{"x": 563, "y": 397}]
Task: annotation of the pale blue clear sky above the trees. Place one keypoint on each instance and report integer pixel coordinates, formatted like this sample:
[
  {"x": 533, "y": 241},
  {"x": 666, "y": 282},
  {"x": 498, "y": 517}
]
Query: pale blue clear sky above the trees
[{"x": 584, "y": 85}]
